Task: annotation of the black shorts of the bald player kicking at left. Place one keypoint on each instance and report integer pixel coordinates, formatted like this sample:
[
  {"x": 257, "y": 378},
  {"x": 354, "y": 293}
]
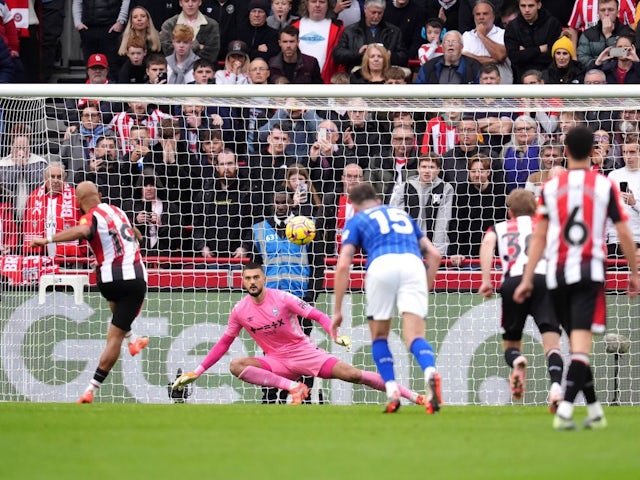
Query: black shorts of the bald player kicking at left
[{"x": 127, "y": 297}]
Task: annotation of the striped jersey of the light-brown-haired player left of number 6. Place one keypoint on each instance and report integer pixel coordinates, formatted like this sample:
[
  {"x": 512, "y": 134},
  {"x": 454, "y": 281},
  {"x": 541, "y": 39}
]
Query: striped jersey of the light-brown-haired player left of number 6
[{"x": 513, "y": 246}]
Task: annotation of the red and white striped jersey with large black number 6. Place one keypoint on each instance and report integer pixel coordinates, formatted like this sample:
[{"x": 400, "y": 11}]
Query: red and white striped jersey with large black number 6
[{"x": 577, "y": 204}]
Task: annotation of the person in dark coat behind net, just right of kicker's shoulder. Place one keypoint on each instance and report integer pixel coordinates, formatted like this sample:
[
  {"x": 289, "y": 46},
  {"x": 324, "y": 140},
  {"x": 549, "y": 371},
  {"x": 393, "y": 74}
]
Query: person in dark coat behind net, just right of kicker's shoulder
[{"x": 157, "y": 219}]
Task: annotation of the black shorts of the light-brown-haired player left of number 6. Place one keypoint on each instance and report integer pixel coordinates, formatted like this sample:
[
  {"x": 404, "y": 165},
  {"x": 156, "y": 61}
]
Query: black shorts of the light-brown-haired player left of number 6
[{"x": 539, "y": 306}]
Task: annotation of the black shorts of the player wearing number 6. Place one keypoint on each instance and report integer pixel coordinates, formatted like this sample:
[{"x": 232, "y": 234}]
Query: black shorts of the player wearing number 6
[{"x": 581, "y": 306}]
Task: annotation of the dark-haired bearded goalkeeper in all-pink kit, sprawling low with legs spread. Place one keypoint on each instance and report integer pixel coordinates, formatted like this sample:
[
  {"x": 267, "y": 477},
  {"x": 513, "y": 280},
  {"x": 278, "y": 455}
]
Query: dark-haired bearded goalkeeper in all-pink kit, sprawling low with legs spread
[{"x": 271, "y": 318}]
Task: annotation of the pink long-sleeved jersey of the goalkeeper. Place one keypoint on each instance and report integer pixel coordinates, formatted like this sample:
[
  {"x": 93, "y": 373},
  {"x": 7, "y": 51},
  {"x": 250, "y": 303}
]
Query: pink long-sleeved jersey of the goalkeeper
[{"x": 273, "y": 323}]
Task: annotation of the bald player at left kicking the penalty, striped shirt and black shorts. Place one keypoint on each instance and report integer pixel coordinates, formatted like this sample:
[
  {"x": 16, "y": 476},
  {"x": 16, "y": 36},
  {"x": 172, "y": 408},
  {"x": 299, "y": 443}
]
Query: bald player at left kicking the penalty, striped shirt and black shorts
[{"x": 122, "y": 277}]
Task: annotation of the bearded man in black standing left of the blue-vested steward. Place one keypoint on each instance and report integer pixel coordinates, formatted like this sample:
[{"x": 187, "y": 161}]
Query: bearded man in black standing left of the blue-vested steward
[{"x": 223, "y": 212}]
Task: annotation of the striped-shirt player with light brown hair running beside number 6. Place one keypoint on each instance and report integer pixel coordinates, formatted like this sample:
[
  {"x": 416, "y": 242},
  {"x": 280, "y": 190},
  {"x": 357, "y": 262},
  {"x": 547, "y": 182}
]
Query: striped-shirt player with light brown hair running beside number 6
[{"x": 512, "y": 240}]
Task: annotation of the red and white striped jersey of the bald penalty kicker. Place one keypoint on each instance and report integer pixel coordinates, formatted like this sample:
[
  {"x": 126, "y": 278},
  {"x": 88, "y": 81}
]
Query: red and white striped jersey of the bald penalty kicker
[{"x": 114, "y": 244}]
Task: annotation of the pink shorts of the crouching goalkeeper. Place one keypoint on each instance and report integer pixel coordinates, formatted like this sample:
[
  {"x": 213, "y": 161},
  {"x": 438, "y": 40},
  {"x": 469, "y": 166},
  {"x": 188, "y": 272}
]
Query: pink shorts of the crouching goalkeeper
[{"x": 310, "y": 361}]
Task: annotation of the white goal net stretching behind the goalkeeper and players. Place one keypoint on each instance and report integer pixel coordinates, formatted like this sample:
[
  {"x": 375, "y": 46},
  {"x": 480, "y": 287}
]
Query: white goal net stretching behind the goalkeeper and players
[{"x": 197, "y": 167}]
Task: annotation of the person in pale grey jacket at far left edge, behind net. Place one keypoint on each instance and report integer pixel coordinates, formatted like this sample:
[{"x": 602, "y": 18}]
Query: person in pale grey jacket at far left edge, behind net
[{"x": 22, "y": 170}]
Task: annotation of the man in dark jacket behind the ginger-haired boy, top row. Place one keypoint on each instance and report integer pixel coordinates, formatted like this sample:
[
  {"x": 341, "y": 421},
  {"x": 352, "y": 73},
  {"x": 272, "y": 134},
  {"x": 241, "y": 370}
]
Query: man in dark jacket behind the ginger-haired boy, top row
[{"x": 206, "y": 31}]
